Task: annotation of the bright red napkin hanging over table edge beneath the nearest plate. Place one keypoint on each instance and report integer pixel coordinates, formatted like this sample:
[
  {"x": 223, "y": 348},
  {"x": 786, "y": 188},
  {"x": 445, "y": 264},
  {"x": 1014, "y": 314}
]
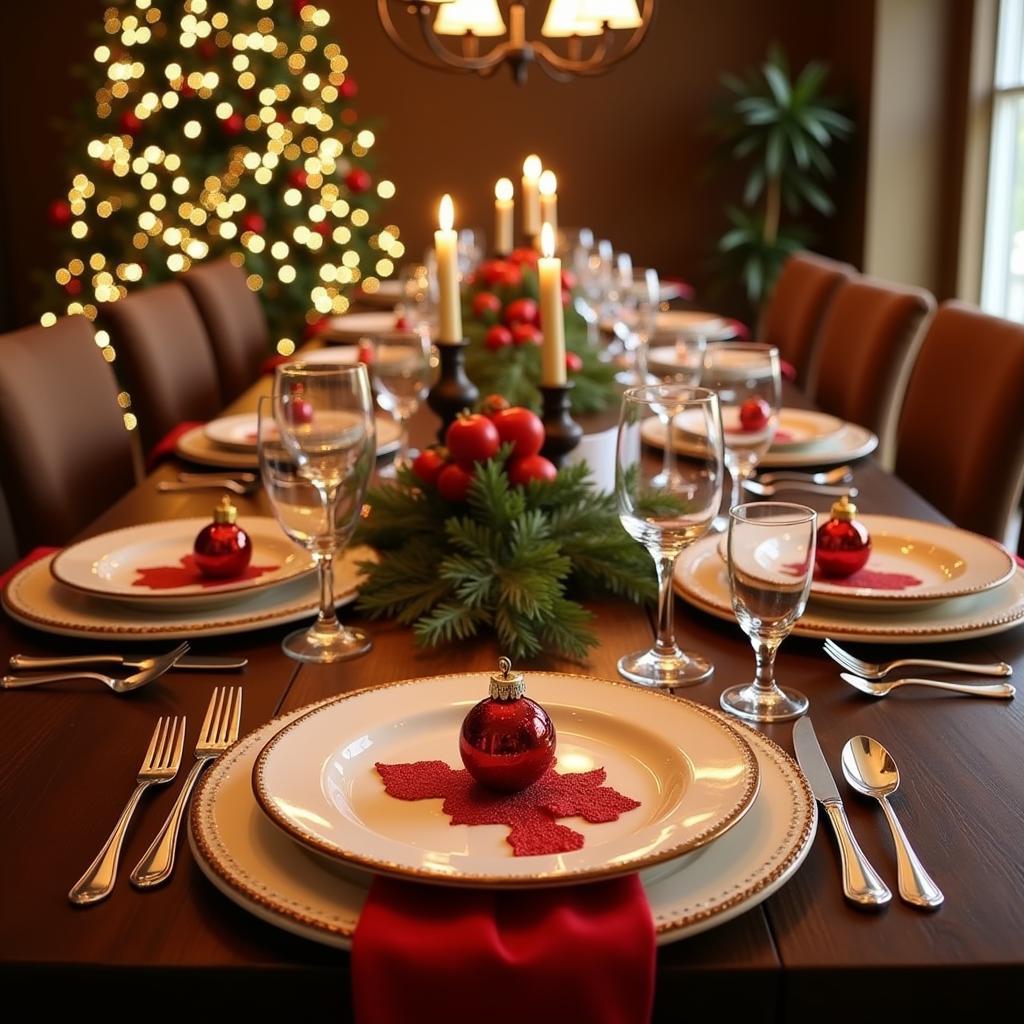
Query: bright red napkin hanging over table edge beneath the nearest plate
[{"x": 431, "y": 954}]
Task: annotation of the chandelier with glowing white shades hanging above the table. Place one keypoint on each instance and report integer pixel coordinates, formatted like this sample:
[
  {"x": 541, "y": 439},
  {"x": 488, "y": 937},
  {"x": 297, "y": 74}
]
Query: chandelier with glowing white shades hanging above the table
[{"x": 594, "y": 35}]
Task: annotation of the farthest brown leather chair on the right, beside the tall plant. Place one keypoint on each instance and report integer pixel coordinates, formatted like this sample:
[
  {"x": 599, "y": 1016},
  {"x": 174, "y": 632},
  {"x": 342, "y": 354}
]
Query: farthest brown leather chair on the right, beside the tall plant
[{"x": 793, "y": 317}]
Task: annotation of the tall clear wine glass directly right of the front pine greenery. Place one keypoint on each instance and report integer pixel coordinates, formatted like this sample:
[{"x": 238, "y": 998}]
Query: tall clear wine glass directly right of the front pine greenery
[{"x": 668, "y": 509}]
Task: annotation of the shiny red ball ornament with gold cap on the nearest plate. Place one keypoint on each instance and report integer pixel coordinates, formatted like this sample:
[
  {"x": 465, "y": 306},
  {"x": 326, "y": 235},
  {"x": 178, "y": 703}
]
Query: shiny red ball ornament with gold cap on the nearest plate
[{"x": 507, "y": 741}]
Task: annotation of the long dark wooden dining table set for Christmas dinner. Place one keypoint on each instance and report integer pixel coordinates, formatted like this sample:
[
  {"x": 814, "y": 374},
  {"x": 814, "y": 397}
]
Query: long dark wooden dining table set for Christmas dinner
[{"x": 806, "y": 954}]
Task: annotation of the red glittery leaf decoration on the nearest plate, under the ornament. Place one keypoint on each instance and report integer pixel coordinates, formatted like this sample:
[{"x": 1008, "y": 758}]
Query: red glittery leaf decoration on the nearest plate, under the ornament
[{"x": 530, "y": 815}]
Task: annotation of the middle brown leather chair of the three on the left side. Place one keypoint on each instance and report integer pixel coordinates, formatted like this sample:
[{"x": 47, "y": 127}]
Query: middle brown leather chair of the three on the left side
[{"x": 165, "y": 359}]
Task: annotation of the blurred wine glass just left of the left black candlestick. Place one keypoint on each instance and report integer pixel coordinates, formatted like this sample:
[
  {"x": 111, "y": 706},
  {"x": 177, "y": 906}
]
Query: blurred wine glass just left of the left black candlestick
[{"x": 400, "y": 369}]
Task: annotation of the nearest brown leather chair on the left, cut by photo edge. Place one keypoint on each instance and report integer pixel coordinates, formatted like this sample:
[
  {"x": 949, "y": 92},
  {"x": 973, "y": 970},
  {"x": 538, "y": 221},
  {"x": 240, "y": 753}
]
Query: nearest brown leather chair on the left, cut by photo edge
[{"x": 67, "y": 455}]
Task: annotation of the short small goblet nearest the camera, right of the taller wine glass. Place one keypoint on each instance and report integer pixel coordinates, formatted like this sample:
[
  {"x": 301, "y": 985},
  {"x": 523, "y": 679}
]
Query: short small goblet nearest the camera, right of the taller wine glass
[{"x": 772, "y": 564}]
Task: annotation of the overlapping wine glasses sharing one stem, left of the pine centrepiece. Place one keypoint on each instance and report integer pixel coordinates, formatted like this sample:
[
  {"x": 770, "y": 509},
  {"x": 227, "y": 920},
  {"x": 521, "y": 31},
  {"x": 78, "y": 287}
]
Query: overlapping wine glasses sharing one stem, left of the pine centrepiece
[{"x": 323, "y": 452}]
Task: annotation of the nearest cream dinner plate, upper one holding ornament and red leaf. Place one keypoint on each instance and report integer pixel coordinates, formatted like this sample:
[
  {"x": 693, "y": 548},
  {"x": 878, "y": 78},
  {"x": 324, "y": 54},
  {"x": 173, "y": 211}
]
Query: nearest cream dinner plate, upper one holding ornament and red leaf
[{"x": 694, "y": 777}]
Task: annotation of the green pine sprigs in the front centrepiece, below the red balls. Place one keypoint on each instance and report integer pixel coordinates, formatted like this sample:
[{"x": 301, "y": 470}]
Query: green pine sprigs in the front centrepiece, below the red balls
[{"x": 505, "y": 562}]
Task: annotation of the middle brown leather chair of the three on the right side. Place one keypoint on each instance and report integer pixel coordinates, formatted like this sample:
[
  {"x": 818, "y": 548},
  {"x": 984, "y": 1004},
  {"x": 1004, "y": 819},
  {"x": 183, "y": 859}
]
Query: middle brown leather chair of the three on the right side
[{"x": 869, "y": 338}]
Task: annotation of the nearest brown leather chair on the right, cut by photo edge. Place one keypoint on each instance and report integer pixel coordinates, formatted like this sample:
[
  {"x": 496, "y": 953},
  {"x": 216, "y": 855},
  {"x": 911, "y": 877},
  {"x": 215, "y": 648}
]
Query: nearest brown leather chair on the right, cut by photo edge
[{"x": 961, "y": 439}]
